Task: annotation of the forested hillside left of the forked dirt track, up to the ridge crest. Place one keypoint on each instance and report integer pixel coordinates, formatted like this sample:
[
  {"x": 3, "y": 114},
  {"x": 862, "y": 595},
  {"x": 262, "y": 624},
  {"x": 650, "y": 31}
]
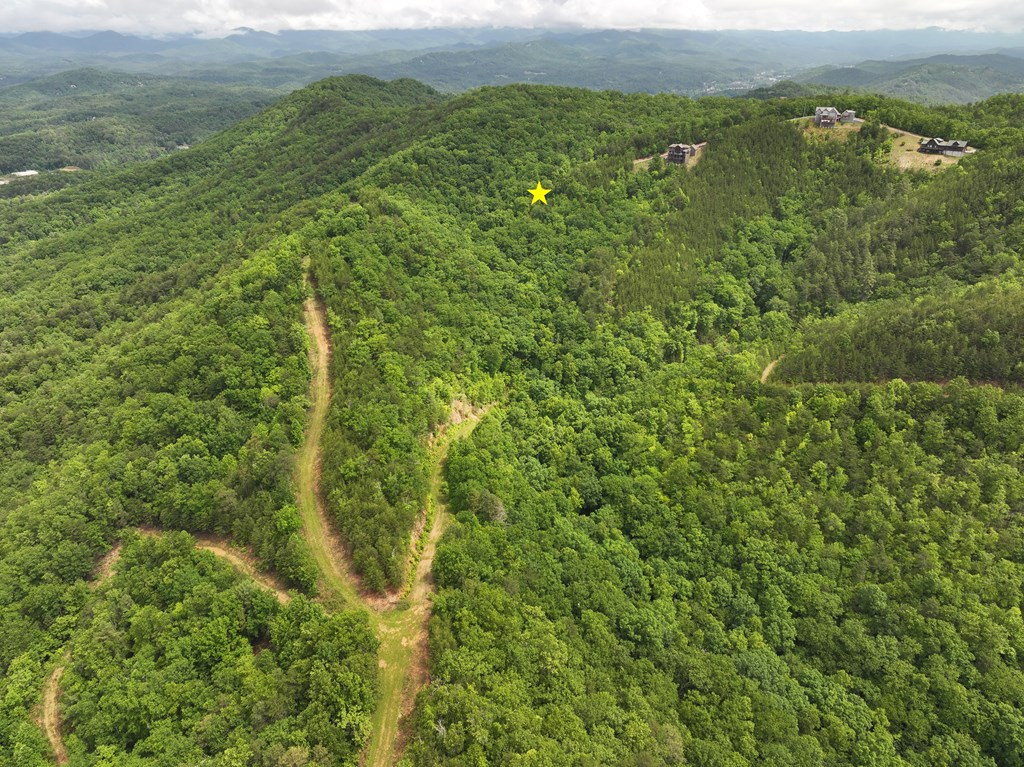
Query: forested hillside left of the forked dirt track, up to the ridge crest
[{"x": 154, "y": 372}]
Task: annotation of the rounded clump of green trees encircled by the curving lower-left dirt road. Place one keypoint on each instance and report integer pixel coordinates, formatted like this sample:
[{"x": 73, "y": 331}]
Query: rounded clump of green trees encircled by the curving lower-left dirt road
[{"x": 172, "y": 664}]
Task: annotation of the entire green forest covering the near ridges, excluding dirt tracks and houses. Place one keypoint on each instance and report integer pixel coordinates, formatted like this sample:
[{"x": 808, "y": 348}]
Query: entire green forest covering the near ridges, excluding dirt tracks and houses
[{"x": 655, "y": 559}]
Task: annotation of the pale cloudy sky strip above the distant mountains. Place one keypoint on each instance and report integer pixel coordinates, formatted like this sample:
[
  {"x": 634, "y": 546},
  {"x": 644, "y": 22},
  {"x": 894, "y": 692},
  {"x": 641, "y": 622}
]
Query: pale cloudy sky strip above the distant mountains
[{"x": 221, "y": 16}]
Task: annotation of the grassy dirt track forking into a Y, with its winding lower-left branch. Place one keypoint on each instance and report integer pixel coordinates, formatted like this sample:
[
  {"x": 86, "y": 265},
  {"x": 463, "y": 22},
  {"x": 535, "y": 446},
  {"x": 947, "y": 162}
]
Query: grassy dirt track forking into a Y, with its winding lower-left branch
[{"x": 401, "y": 624}]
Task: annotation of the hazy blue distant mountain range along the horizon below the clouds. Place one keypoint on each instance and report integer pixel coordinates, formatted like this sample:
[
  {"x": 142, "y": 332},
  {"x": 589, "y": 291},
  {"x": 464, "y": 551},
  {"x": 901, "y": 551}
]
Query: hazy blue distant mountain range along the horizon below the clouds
[{"x": 926, "y": 65}]
